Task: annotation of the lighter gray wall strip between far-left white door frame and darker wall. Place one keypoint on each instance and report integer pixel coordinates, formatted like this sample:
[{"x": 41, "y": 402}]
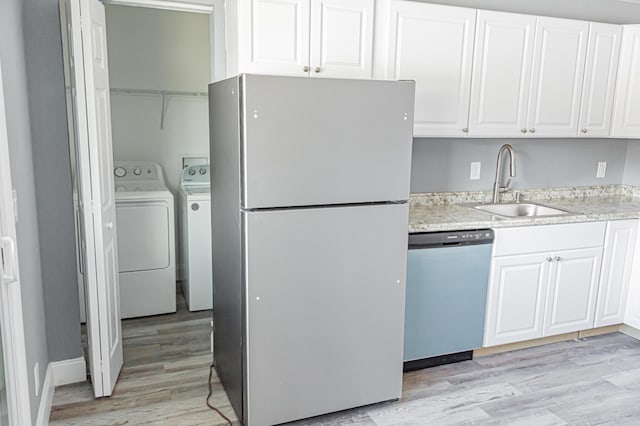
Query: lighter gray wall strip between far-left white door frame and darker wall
[{"x": 22, "y": 173}]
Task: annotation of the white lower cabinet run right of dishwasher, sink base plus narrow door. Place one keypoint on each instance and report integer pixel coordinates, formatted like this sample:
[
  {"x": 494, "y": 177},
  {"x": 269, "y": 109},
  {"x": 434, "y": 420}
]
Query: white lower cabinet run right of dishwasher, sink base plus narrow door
[{"x": 549, "y": 280}]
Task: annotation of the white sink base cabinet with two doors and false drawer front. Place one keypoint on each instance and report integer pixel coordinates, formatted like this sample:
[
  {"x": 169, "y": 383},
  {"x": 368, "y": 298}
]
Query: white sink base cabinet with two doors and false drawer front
[{"x": 543, "y": 281}]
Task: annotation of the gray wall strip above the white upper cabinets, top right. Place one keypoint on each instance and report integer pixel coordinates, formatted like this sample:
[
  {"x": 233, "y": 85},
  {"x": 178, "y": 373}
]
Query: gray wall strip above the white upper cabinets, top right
[{"x": 612, "y": 11}]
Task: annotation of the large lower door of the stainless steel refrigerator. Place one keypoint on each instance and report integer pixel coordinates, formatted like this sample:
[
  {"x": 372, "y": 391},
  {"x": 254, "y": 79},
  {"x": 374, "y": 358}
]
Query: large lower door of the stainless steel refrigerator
[{"x": 325, "y": 297}]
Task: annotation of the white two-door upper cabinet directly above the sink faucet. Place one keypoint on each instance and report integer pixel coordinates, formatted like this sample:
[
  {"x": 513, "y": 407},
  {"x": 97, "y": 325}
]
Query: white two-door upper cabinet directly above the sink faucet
[{"x": 528, "y": 75}]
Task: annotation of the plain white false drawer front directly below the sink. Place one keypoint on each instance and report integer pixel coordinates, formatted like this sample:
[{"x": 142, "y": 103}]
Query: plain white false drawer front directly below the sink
[{"x": 533, "y": 239}]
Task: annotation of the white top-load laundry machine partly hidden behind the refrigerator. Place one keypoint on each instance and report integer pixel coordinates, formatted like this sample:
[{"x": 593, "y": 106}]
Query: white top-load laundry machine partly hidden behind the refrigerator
[{"x": 195, "y": 237}]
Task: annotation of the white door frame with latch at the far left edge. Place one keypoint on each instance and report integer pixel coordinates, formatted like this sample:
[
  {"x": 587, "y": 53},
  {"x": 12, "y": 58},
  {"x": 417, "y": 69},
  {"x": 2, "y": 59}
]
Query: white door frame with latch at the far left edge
[{"x": 12, "y": 329}]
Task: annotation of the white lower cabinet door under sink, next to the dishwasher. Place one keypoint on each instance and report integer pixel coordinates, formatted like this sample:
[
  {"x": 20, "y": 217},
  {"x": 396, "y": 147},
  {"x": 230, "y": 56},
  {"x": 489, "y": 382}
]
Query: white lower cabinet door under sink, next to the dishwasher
[{"x": 515, "y": 305}]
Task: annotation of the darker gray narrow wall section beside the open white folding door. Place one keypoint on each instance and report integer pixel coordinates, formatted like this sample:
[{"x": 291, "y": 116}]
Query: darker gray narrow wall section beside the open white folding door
[{"x": 47, "y": 107}]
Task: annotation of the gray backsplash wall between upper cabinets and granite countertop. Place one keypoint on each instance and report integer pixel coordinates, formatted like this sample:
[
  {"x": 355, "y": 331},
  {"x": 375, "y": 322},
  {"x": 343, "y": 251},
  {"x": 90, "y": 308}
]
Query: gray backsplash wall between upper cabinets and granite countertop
[{"x": 441, "y": 165}]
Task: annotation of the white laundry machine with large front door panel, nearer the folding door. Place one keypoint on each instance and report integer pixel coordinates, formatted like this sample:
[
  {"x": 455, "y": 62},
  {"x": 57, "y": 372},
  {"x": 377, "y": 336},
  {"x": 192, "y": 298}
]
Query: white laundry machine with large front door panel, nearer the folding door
[{"x": 146, "y": 239}]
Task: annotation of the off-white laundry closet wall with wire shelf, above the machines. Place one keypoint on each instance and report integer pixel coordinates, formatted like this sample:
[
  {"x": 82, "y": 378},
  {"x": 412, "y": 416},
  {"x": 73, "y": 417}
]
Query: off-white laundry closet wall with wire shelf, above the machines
[{"x": 161, "y": 50}]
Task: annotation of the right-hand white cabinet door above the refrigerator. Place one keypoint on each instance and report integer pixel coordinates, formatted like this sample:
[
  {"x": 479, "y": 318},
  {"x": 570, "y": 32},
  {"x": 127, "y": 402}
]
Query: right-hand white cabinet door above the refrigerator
[{"x": 341, "y": 38}]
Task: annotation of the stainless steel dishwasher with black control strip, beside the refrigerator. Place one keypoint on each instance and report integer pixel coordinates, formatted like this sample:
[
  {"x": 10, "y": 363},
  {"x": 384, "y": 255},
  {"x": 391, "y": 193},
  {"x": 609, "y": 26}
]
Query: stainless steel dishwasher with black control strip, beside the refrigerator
[{"x": 447, "y": 280}]
